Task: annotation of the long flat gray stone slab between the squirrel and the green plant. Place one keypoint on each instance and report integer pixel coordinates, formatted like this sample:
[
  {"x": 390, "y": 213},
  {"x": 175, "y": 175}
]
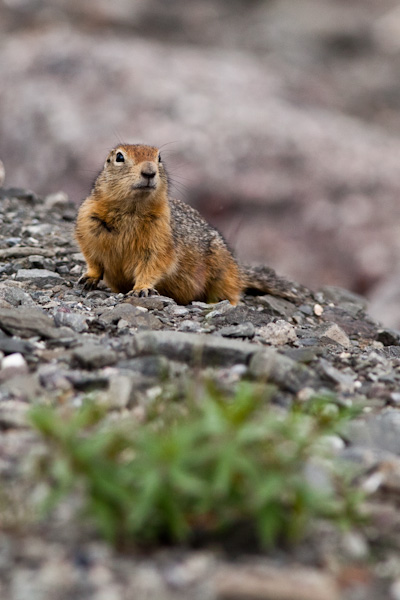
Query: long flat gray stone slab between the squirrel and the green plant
[{"x": 192, "y": 348}]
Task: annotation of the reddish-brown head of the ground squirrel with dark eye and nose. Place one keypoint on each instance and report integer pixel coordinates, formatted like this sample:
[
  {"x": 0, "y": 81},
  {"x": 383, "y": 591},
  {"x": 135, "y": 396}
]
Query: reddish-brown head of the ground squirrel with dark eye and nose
[{"x": 132, "y": 171}]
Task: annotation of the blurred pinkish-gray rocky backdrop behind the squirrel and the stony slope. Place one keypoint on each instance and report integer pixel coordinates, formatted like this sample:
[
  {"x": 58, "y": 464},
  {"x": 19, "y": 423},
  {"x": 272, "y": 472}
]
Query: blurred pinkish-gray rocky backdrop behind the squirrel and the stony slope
[{"x": 280, "y": 120}]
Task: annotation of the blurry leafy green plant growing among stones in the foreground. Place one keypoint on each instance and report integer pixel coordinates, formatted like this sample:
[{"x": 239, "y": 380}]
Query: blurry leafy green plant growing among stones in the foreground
[{"x": 216, "y": 464}]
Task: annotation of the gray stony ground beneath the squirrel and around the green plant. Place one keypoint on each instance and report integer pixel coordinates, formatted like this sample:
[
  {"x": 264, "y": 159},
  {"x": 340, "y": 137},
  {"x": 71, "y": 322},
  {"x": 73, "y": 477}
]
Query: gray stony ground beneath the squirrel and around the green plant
[{"x": 58, "y": 345}]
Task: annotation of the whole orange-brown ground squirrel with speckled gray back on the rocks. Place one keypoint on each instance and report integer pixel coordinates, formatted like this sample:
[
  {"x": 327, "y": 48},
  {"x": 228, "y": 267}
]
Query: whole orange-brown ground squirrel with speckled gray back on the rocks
[{"x": 141, "y": 242}]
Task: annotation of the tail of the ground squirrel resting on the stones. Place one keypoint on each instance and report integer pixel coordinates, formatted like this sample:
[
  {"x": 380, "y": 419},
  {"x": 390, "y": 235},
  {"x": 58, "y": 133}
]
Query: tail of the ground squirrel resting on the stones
[{"x": 263, "y": 280}]
